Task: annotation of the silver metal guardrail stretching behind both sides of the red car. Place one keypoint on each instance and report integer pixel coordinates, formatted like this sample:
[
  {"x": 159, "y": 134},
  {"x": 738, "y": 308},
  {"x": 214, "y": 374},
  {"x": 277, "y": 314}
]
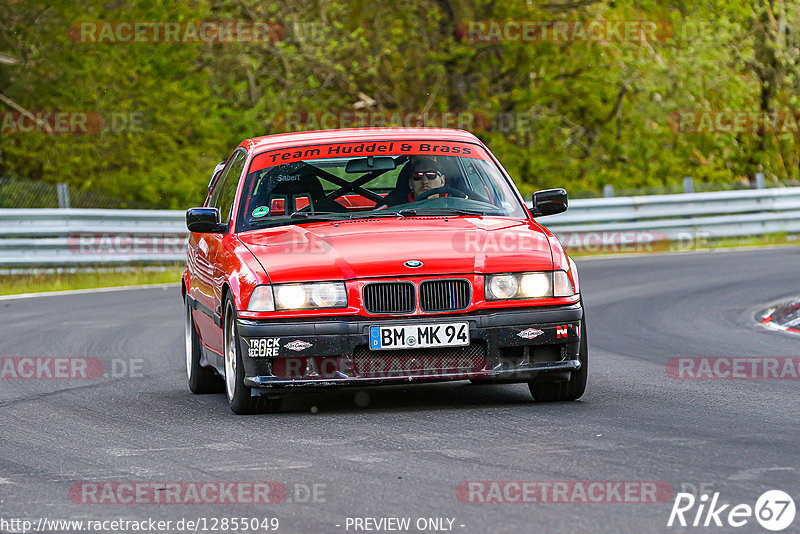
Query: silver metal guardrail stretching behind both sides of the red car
[{"x": 63, "y": 237}]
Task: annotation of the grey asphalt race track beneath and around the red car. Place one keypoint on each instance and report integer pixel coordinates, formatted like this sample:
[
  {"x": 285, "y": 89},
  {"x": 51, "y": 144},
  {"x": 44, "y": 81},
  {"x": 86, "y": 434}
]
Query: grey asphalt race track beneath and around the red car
[{"x": 403, "y": 451}]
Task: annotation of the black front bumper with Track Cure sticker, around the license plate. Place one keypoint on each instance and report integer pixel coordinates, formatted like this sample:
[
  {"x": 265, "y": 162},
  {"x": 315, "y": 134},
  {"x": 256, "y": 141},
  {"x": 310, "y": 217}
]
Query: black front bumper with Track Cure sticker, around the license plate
[{"x": 506, "y": 346}]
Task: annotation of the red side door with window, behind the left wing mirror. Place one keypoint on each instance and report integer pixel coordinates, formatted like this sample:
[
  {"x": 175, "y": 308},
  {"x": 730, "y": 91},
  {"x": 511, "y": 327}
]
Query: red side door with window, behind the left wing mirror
[{"x": 210, "y": 268}]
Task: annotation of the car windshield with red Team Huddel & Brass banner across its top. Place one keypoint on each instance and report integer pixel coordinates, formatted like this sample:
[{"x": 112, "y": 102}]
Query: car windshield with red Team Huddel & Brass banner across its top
[{"x": 302, "y": 184}]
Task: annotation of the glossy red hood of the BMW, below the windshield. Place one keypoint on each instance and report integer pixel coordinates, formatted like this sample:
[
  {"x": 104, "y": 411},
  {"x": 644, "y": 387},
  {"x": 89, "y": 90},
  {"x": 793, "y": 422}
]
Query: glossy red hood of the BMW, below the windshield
[{"x": 372, "y": 248}]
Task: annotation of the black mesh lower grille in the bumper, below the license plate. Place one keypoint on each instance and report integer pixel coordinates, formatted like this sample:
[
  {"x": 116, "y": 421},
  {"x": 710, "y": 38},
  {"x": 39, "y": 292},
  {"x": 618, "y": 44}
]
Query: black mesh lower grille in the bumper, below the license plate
[{"x": 430, "y": 362}]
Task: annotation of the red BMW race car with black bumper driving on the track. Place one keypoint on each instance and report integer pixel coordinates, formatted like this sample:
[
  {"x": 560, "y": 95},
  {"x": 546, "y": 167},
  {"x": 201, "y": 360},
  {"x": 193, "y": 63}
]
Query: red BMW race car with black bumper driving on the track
[{"x": 363, "y": 257}]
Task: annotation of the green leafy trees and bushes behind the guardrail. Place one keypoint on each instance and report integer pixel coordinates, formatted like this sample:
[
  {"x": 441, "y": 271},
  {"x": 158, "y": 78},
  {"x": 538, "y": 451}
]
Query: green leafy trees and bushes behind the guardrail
[{"x": 578, "y": 114}]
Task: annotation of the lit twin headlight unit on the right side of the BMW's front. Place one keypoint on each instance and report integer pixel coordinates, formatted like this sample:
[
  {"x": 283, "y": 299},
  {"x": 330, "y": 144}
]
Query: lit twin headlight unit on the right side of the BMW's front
[{"x": 528, "y": 285}]
